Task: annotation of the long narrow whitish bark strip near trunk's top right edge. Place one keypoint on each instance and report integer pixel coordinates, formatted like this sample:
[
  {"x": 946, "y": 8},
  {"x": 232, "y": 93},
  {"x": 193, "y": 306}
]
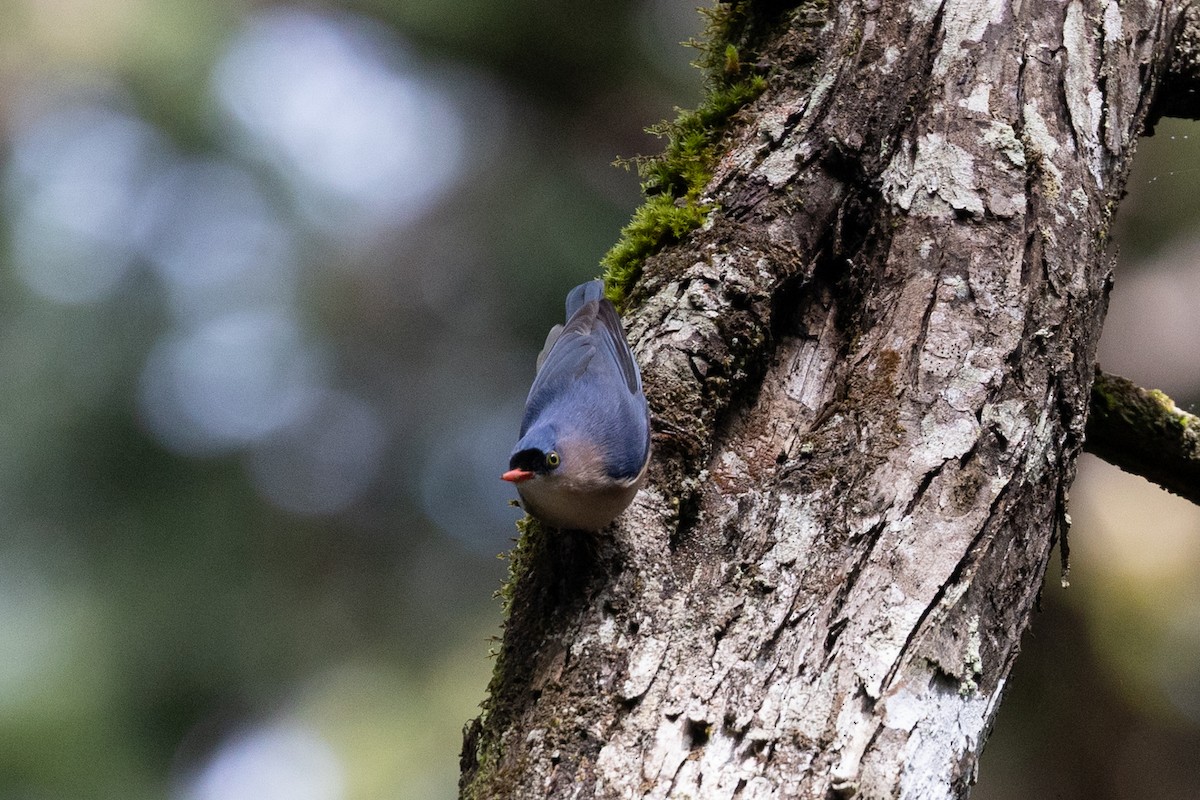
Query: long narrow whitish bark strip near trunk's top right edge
[{"x": 1084, "y": 99}]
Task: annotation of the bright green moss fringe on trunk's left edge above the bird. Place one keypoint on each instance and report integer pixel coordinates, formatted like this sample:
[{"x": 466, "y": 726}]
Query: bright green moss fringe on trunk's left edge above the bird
[{"x": 675, "y": 181}]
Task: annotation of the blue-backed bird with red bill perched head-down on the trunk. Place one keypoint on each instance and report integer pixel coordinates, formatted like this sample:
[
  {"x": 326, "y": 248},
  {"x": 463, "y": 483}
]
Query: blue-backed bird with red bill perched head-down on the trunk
[{"x": 585, "y": 440}]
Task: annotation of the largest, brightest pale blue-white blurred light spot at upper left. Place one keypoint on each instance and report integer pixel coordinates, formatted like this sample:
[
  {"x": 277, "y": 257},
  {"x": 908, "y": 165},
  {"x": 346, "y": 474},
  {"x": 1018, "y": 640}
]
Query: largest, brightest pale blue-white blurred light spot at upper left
[{"x": 365, "y": 140}]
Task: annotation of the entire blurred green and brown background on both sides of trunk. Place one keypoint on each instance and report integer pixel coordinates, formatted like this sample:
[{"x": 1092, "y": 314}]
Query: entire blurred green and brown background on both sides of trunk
[{"x": 272, "y": 282}]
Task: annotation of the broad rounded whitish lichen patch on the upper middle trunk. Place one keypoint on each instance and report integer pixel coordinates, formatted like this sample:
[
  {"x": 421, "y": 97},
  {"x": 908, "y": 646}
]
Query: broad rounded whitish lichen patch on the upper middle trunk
[{"x": 939, "y": 181}]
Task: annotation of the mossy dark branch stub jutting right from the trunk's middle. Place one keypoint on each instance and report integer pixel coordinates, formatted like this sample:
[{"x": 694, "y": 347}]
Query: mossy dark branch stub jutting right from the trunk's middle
[{"x": 1144, "y": 434}]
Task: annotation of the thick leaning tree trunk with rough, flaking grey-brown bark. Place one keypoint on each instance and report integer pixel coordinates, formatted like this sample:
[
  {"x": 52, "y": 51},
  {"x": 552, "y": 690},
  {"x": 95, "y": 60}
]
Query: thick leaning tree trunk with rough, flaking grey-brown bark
[{"x": 869, "y": 376}]
